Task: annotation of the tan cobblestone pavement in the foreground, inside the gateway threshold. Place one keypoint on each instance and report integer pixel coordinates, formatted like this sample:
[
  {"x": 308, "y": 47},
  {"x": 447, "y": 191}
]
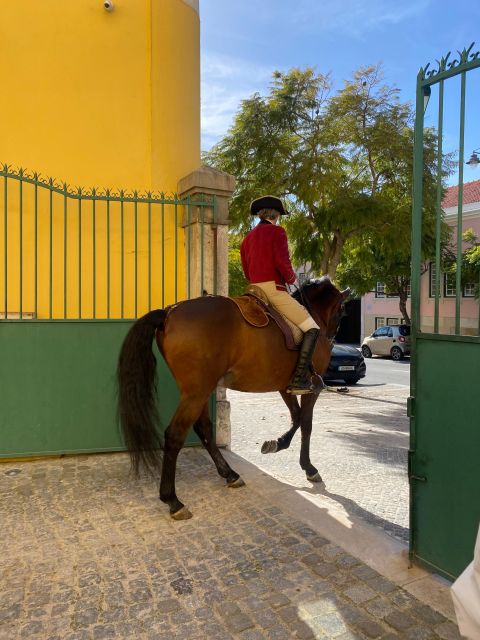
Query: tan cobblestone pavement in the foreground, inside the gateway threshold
[{"x": 88, "y": 552}]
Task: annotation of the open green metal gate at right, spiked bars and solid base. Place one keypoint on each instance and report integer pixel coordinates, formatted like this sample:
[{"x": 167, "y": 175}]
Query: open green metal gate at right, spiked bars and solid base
[{"x": 444, "y": 461}]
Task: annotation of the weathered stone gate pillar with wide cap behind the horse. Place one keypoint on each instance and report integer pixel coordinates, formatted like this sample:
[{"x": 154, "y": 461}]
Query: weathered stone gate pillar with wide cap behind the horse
[{"x": 201, "y": 223}]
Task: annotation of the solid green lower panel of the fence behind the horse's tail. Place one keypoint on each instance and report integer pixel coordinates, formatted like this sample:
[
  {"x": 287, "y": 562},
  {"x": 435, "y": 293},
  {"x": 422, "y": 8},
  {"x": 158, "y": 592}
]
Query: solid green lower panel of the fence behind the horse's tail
[{"x": 57, "y": 387}]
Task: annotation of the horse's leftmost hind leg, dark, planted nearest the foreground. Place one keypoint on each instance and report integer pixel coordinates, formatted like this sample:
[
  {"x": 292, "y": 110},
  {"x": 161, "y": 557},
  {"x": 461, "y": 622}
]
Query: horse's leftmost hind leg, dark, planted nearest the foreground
[{"x": 186, "y": 414}]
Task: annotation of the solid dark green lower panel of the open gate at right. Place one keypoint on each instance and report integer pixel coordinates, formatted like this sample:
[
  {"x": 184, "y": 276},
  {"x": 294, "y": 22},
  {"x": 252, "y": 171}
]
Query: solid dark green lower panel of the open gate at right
[{"x": 446, "y": 437}]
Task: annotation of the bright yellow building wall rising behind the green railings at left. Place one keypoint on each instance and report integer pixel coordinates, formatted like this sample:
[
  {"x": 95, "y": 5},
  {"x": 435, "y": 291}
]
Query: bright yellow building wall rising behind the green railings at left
[{"x": 96, "y": 98}]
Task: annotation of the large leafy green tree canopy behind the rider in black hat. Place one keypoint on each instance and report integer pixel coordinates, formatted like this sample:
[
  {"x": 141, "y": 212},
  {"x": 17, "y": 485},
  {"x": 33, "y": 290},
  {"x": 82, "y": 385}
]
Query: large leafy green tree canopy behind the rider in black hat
[{"x": 342, "y": 162}]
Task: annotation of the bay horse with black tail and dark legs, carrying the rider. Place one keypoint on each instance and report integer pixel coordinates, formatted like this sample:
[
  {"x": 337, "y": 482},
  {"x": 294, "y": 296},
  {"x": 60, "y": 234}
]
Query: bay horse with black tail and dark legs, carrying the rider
[{"x": 206, "y": 342}]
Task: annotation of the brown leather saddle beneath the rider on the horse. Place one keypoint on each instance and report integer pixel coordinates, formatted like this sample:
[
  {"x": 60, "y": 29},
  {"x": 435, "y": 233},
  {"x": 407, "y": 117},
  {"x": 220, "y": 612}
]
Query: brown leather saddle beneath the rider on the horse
[{"x": 257, "y": 311}]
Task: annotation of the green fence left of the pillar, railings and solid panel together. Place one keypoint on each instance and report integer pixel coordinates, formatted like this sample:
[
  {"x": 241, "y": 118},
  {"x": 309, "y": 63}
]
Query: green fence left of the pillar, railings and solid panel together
[{"x": 76, "y": 268}]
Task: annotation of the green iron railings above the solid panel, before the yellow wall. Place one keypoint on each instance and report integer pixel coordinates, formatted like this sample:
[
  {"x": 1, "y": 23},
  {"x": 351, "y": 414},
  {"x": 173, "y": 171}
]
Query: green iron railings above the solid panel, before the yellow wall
[{"x": 76, "y": 253}]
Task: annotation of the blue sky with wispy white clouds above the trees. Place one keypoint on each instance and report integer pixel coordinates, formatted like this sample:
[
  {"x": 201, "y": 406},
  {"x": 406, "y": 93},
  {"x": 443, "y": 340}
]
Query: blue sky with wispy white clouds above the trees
[{"x": 244, "y": 41}]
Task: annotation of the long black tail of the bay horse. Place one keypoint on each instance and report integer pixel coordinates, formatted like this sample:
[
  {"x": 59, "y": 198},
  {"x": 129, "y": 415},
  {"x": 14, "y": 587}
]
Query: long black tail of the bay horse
[{"x": 136, "y": 376}]
